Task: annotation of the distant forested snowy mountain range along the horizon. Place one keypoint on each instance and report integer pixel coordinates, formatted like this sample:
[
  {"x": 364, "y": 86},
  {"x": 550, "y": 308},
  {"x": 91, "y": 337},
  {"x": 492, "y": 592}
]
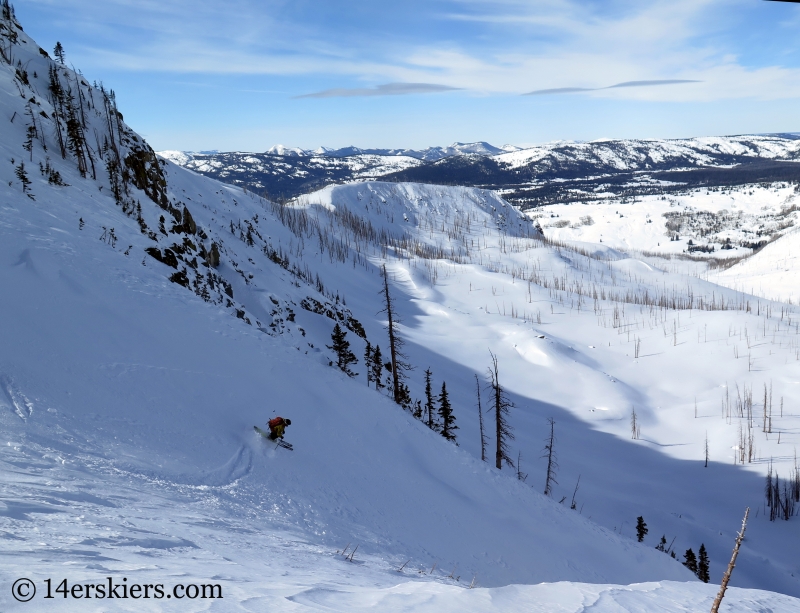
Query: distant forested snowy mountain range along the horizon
[{"x": 532, "y": 176}]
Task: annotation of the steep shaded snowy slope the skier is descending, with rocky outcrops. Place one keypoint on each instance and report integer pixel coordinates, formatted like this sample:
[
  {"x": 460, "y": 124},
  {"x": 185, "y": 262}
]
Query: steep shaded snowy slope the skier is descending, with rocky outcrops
[{"x": 122, "y": 390}]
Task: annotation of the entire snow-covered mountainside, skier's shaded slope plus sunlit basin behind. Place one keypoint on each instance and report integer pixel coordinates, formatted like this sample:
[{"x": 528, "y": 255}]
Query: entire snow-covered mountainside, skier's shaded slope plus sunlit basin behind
[{"x": 151, "y": 316}]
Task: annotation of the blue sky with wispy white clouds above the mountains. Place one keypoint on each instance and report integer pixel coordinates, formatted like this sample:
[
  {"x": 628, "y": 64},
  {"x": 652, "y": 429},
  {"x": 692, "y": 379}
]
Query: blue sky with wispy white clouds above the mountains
[{"x": 248, "y": 74}]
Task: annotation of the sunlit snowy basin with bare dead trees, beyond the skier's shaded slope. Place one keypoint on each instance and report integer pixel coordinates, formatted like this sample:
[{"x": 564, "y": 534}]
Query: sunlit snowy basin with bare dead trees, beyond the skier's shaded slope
[{"x": 574, "y": 357}]
